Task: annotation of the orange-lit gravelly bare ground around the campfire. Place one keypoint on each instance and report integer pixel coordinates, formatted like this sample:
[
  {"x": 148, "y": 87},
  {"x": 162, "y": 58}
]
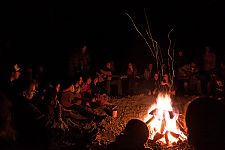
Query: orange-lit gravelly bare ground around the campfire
[{"x": 136, "y": 107}]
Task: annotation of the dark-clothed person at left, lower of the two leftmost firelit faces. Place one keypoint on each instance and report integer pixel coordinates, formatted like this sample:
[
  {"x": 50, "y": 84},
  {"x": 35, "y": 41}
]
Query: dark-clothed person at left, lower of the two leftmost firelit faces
[{"x": 30, "y": 122}]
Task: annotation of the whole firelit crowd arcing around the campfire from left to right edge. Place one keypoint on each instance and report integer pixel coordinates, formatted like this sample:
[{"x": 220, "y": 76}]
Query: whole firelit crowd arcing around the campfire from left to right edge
[{"x": 32, "y": 106}]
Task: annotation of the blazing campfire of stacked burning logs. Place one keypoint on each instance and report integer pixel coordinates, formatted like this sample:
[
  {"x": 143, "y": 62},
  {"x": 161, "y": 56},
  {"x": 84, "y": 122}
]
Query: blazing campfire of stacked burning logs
[{"x": 163, "y": 122}]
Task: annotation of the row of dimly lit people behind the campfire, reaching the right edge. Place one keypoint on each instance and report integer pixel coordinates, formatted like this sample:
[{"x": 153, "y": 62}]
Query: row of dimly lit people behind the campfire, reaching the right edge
[{"x": 193, "y": 75}]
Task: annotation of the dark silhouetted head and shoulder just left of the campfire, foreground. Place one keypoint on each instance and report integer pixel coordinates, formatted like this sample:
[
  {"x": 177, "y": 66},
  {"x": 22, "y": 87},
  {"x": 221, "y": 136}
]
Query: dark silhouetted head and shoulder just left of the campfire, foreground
[{"x": 133, "y": 137}]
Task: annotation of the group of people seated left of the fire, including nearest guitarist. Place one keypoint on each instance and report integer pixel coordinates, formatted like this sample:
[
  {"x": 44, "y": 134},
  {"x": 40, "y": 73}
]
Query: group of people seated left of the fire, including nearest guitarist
[{"x": 33, "y": 110}]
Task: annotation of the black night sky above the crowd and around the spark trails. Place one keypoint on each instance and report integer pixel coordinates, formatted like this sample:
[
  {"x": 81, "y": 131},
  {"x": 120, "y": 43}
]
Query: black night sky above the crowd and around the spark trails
[{"x": 54, "y": 29}]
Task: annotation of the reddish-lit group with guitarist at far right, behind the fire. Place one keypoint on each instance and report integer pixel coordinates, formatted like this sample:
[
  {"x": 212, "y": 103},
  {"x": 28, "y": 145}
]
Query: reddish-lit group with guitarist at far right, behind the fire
[{"x": 203, "y": 76}]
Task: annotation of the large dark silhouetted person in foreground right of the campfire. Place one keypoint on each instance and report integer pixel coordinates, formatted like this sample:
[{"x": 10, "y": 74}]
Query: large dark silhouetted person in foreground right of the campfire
[{"x": 205, "y": 121}]
